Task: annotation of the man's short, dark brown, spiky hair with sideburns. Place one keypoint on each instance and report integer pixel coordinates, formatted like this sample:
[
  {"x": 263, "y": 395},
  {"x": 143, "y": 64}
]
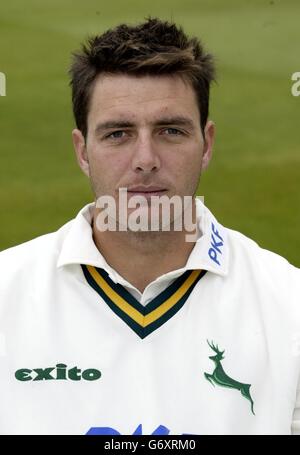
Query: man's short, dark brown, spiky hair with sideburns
[{"x": 154, "y": 47}]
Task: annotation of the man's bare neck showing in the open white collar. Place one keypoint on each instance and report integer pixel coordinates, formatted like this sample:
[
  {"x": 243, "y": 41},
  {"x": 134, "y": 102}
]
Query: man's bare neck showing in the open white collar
[{"x": 141, "y": 257}]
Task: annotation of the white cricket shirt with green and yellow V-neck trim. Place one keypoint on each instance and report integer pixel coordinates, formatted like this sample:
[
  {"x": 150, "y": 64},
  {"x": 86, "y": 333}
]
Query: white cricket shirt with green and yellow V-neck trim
[{"x": 212, "y": 348}]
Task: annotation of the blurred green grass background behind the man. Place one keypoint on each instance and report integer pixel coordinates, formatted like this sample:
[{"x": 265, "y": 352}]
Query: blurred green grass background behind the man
[{"x": 252, "y": 184}]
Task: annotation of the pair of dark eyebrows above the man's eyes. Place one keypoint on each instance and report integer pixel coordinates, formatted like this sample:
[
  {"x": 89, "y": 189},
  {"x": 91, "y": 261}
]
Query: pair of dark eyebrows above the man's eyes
[{"x": 163, "y": 121}]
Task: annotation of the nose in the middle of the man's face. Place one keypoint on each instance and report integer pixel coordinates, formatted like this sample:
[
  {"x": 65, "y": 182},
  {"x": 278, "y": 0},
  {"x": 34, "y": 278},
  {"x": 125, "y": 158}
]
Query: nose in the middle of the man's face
[{"x": 145, "y": 158}]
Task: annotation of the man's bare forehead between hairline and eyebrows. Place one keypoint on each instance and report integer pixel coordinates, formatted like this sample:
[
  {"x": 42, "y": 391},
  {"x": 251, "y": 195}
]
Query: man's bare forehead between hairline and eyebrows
[{"x": 141, "y": 97}]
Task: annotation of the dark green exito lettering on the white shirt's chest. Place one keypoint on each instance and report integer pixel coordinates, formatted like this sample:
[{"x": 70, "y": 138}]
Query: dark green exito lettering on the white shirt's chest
[{"x": 59, "y": 372}]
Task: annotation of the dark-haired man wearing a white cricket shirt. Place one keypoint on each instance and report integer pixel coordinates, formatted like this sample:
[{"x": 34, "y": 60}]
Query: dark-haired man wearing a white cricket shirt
[{"x": 144, "y": 331}]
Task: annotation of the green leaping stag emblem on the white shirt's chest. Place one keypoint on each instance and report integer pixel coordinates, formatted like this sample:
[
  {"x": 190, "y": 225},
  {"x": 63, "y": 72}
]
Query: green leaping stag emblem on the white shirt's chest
[{"x": 219, "y": 376}]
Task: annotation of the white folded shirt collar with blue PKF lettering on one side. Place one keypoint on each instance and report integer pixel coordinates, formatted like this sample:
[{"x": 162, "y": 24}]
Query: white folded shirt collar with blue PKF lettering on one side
[{"x": 210, "y": 252}]
